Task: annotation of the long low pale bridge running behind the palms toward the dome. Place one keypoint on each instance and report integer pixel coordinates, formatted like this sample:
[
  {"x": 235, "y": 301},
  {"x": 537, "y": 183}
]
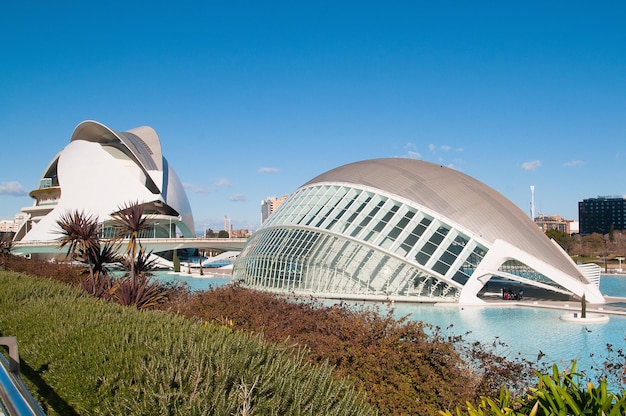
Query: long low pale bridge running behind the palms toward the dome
[{"x": 155, "y": 245}]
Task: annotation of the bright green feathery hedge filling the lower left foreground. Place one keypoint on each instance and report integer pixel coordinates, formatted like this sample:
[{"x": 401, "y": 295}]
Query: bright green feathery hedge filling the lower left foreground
[{"x": 80, "y": 355}]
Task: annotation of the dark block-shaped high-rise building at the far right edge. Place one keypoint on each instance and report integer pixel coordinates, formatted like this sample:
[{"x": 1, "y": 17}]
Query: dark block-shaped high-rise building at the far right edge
[{"x": 597, "y": 215}]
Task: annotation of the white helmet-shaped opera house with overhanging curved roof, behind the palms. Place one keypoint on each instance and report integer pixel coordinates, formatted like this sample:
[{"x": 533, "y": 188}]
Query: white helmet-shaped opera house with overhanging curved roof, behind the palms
[{"x": 99, "y": 172}]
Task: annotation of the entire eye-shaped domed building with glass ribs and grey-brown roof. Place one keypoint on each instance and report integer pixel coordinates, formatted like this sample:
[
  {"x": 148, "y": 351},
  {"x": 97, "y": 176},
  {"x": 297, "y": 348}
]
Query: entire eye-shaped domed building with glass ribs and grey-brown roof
[{"x": 405, "y": 230}]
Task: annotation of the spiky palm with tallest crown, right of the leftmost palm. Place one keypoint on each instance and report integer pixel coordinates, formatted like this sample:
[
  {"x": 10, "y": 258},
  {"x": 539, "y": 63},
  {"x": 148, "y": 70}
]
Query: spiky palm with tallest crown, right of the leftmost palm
[{"x": 129, "y": 222}]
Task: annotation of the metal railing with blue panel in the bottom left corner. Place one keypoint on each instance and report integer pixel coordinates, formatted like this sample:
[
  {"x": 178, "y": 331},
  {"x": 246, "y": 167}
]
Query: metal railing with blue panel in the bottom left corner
[{"x": 15, "y": 397}]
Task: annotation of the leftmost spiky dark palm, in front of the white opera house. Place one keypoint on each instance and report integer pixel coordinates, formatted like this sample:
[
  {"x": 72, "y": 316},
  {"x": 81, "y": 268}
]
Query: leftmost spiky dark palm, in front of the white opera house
[{"x": 79, "y": 233}]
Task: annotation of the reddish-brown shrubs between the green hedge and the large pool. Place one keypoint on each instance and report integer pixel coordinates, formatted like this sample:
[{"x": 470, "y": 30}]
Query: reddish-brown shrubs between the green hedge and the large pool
[{"x": 403, "y": 368}]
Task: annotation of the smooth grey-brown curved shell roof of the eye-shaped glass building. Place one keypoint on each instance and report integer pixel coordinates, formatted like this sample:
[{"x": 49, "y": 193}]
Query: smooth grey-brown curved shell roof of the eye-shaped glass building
[{"x": 454, "y": 195}]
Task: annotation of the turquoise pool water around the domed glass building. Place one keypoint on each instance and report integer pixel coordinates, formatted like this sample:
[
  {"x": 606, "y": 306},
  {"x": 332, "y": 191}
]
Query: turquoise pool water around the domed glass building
[{"x": 526, "y": 331}]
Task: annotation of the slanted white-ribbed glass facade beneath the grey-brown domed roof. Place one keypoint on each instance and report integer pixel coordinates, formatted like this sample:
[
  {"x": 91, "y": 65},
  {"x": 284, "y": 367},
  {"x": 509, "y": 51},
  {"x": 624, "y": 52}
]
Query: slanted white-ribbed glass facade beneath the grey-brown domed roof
[{"x": 356, "y": 242}]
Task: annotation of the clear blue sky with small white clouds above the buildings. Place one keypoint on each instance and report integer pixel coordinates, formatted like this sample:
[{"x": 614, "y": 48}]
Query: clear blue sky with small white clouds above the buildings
[{"x": 253, "y": 99}]
